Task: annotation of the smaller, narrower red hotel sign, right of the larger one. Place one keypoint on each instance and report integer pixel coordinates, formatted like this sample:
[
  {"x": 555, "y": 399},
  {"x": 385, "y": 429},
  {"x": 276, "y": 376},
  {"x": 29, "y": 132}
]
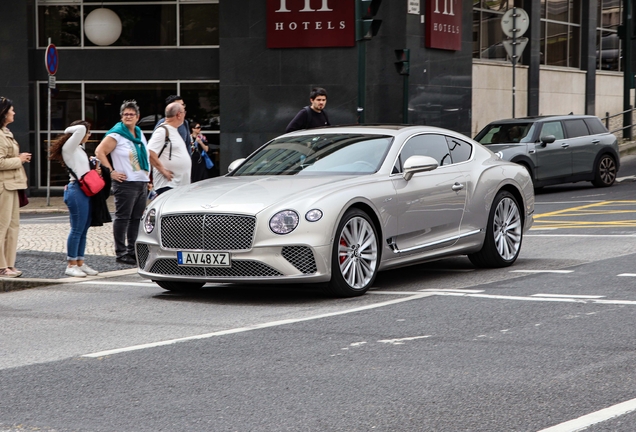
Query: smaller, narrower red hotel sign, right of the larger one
[{"x": 443, "y": 24}]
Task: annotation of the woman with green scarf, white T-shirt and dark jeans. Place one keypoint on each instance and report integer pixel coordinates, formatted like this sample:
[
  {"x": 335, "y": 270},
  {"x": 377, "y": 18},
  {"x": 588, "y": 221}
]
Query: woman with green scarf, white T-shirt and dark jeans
[{"x": 126, "y": 146}]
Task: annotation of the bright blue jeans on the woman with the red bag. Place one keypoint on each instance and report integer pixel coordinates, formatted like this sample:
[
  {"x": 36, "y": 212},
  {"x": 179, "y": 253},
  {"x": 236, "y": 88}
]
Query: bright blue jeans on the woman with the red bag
[{"x": 79, "y": 208}]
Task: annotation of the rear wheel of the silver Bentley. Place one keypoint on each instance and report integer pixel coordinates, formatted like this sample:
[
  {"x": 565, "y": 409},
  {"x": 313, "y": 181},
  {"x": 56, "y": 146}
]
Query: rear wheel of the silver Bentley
[{"x": 504, "y": 234}]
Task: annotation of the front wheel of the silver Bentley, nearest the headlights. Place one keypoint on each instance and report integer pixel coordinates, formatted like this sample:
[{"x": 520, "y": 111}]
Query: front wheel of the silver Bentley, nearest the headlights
[{"x": 355, "y": 256}]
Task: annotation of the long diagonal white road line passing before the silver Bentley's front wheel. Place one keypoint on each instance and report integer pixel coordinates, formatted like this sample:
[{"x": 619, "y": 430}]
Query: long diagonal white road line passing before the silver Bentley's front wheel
[{"x": 417, "y": 296}]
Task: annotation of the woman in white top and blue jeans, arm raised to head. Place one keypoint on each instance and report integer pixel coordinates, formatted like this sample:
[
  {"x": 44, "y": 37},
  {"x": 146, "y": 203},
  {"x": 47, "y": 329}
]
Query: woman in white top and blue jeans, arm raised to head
[{"x": 68, "y": 149}]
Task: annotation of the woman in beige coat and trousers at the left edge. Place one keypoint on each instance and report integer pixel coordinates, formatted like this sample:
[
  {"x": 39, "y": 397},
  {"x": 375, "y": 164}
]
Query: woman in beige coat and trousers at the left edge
[{"x": 12, "y": 178}]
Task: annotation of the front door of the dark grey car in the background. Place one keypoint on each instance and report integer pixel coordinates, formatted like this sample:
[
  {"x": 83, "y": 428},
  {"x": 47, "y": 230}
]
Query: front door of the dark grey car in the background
[{"x": 553, "y": 159}]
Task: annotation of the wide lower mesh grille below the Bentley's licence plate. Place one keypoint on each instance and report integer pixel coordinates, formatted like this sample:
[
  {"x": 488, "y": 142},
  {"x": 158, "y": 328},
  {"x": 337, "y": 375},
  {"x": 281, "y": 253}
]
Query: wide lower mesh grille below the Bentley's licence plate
[{"x": 238, "y": 269}]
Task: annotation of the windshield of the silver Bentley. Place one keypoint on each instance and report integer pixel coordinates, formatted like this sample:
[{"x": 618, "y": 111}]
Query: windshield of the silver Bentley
[{"x": 318, "y": 154}]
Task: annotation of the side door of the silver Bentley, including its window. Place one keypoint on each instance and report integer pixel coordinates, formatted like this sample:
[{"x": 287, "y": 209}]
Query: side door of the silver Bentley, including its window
[{"x": 431, "y": 204}]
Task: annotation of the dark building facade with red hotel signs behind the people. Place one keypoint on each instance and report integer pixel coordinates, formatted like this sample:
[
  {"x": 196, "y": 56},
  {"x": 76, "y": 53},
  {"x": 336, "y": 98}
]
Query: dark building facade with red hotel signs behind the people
[{"x": 253, "y": 62}]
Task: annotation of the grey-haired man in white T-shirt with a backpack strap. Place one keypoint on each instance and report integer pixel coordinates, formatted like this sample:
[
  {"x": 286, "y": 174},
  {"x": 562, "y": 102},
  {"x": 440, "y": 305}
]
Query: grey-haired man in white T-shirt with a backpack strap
[{"x": 169, "y": 157}]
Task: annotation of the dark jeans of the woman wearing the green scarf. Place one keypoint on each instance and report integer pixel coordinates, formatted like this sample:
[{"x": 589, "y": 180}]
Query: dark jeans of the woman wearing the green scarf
[{"x": 130, "y": 202}]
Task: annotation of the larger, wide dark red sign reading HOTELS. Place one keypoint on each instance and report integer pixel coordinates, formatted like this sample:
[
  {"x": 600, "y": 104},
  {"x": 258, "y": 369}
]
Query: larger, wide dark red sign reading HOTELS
[{"x": 310, "y": 23}]
